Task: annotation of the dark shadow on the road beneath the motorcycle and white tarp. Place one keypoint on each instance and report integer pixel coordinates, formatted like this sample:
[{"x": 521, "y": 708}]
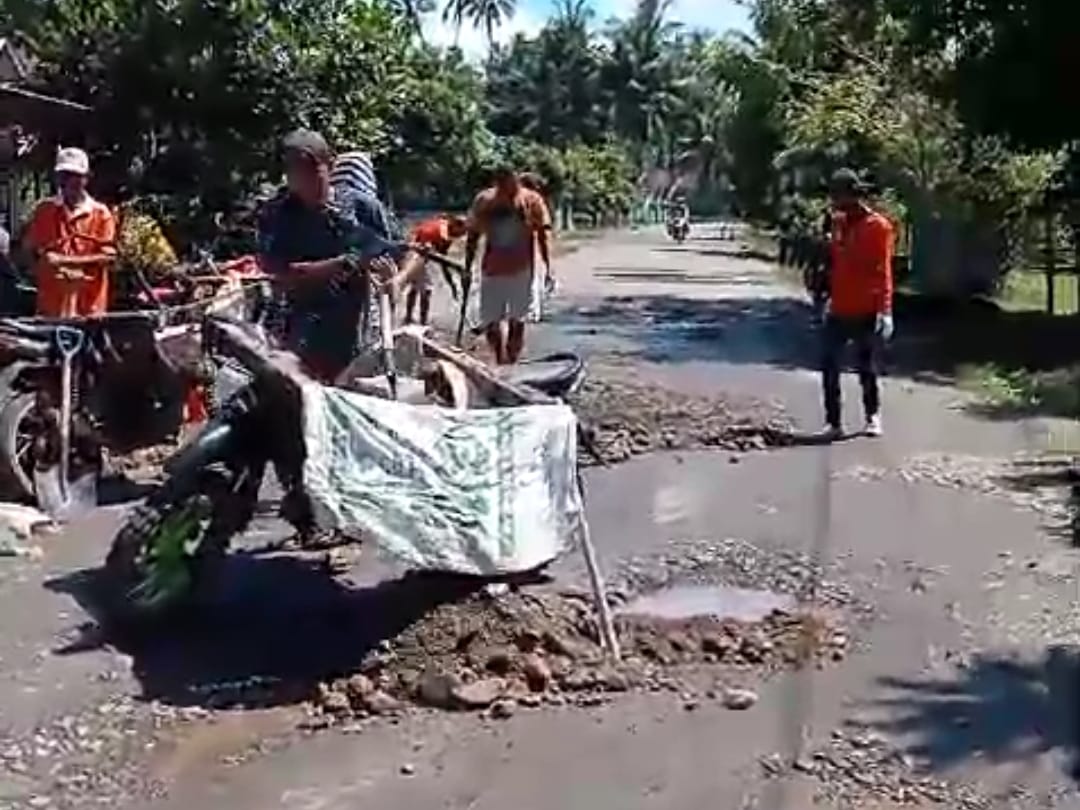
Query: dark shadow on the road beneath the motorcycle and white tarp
[{"x": 282, "y": 627}]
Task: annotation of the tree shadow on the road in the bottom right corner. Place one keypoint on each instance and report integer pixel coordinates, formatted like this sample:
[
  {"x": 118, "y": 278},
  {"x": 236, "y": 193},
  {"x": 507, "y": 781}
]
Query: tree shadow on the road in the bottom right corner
[{"x": 998, "y": 710}]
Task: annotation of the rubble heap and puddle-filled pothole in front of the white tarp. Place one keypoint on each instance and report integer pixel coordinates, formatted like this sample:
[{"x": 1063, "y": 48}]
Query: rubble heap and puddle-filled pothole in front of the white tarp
[{"x": 541, "y": 646}]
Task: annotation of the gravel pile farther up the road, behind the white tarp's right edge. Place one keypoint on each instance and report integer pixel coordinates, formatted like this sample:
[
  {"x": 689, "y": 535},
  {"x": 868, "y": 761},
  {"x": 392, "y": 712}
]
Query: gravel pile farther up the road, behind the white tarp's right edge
[{"x": 628, "y": 418}]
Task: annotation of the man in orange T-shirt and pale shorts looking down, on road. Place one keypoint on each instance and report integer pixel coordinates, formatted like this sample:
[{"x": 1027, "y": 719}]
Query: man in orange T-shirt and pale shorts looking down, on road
[{"x": 515, "y": 223}]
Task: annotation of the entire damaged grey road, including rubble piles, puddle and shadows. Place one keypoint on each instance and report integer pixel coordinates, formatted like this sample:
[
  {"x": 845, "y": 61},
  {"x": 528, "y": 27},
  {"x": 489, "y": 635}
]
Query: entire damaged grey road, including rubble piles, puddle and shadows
[{"x": 795, "y": 632}]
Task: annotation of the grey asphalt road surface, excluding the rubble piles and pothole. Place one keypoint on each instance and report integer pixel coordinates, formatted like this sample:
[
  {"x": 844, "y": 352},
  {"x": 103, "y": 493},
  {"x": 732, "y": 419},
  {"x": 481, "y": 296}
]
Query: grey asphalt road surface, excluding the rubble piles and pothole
[{"x": 965, "y": 666}]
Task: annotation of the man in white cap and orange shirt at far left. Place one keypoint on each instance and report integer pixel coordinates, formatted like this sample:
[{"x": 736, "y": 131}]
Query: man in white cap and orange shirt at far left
[{"x": 73, "y": 241}]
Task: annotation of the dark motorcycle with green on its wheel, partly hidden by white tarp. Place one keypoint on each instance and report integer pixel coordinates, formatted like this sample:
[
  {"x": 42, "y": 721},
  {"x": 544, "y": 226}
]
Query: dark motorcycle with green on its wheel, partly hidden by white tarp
[{"x": 170, "y": 550}]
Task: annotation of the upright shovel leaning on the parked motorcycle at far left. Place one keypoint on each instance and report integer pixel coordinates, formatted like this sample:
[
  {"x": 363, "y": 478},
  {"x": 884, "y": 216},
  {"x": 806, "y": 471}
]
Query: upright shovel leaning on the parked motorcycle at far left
[{"x": 58, "y": 496}]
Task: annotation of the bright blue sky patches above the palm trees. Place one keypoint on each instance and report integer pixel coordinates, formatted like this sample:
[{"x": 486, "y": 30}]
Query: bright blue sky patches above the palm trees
[{"x": 718, "y": 16}]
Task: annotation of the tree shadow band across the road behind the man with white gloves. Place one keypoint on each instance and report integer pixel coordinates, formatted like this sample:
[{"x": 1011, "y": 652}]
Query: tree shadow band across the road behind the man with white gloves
[{"x": 934, "y": 340}]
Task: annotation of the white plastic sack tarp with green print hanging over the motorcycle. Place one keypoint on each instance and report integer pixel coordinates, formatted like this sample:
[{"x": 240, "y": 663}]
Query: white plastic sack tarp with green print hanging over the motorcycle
[{"x": 487, "y": 492}]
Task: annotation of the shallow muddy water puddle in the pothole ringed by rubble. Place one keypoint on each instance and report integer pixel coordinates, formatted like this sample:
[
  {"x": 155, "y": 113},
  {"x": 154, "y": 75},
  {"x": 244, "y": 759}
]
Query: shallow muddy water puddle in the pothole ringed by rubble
[{"x": 715, "y": 602}]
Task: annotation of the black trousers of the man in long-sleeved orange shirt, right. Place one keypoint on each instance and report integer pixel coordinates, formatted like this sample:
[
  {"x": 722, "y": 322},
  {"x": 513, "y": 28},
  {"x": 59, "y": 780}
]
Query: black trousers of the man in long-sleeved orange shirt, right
[{"x": 839, "y": 332}]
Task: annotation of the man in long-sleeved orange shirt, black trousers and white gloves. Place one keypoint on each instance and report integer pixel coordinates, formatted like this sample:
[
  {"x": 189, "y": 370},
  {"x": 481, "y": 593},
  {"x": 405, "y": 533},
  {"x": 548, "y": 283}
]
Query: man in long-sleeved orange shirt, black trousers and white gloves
[{"x": 860, "y": 308}]
